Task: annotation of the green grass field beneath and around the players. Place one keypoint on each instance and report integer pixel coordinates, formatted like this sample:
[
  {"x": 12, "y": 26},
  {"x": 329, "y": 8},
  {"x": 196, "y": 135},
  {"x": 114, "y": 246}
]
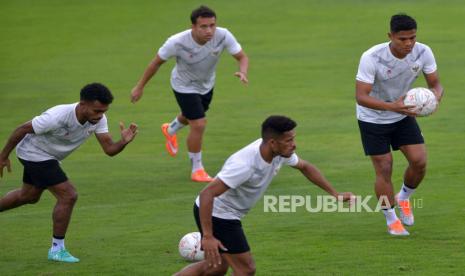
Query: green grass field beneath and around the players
[{"x": 134, "y": 208}]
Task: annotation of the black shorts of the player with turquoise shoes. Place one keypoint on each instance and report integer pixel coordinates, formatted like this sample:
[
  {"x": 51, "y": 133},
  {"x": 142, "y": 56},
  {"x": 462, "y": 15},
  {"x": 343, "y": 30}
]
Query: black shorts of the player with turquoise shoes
[{"x": 43, "y": 174}]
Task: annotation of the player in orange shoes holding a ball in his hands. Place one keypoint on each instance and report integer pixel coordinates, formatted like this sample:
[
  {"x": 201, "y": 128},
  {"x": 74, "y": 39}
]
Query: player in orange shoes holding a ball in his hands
[{"x": 385, "y": 74}]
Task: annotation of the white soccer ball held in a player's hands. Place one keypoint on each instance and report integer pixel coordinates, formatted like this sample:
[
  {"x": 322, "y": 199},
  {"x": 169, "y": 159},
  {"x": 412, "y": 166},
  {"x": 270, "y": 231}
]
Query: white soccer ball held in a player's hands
[{"x": 423, "y": 99}]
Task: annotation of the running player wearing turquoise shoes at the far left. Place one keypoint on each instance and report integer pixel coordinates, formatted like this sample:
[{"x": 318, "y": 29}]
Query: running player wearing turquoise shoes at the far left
[{"x": 46, "y": 140}]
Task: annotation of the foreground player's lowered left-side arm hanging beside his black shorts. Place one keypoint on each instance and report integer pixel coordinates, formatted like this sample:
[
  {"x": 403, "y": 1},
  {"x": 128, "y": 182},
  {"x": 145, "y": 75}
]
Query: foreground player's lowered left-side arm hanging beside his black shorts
[{"x": 210, "y": 244}]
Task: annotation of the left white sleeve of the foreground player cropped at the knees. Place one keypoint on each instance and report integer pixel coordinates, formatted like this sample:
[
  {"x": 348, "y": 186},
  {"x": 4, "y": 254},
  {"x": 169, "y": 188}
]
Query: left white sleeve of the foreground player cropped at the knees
[{"x": 234, "y": 173}]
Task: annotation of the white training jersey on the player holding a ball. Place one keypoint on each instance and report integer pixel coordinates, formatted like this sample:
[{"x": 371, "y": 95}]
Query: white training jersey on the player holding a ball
[{"x": 391, "y": 77}]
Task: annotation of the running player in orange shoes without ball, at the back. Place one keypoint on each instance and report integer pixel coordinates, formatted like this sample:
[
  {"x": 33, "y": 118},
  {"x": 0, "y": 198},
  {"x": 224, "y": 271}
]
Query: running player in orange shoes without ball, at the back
[{"x": 197, "y": 52}]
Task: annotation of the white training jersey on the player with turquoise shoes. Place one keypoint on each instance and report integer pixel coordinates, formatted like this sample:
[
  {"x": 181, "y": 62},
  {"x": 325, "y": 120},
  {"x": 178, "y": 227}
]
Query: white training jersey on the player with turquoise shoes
[{"x": 57, "y": 133}]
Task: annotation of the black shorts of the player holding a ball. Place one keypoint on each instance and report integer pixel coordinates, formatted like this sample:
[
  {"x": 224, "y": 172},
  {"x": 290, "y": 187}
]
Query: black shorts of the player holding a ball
[{"x": 379, "y": 138}]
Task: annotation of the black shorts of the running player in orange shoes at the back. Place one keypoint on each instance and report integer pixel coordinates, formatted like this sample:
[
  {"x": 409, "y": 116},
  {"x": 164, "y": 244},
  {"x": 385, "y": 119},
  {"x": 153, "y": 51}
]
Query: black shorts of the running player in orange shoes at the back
[{"x": 193, "y": 106}]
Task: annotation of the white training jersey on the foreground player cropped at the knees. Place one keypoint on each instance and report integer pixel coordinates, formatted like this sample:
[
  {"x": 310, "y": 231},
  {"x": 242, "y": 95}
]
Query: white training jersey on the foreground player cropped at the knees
[{"x": 247, "y": 175}]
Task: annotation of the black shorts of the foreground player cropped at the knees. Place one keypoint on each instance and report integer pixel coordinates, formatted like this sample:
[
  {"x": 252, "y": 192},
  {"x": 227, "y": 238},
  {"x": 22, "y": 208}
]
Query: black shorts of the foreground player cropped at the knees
[{"x": 228, "y": 231}]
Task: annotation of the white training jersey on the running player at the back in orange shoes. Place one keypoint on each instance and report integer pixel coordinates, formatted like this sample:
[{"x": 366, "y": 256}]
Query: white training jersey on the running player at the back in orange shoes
[{"x": 194, "y": 71}]
